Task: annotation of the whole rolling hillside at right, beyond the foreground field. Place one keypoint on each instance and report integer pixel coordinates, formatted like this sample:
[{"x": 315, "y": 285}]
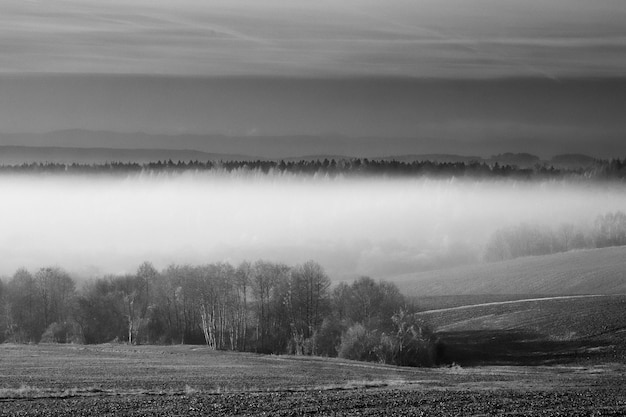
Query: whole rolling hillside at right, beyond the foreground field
[{"x": 560, "y": 308}]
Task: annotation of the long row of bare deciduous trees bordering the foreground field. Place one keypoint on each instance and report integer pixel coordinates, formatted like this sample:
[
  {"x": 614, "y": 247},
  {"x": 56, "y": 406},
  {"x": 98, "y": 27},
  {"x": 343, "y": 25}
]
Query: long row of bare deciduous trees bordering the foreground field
[{"x": 261, "y": 307}]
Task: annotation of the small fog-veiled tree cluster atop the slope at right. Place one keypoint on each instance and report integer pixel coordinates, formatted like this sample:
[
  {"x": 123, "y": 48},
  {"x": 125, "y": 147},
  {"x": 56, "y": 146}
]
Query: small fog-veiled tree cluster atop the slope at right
[{"x": 531, "y": 240}]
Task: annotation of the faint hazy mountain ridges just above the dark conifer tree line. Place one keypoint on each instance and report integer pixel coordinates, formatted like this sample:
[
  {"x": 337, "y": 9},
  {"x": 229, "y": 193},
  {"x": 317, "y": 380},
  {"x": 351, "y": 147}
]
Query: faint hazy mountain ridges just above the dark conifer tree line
[{"x": 97, "y": 147}]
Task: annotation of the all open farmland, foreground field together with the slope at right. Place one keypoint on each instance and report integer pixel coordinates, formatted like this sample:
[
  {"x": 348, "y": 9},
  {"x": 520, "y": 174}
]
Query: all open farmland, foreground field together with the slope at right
[{"x": 523, "y": 349}]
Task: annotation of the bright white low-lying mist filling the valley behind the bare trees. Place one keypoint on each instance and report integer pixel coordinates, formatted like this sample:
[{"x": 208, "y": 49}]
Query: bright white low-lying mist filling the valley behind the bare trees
[{"x": 381, "y": 227}]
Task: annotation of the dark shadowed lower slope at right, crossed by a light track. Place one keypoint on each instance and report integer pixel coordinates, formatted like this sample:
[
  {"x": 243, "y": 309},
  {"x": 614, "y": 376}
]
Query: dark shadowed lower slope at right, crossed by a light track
[{"x": 534, "y": 331}]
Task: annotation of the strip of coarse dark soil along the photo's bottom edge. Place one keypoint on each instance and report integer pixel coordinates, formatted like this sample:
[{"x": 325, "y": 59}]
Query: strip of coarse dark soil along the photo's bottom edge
[{"x": 604, "y": 401}]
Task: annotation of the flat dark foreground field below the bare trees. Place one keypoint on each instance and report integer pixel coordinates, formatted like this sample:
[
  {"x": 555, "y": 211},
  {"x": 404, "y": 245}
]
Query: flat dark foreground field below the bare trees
[{"x": 188, "y": 380}]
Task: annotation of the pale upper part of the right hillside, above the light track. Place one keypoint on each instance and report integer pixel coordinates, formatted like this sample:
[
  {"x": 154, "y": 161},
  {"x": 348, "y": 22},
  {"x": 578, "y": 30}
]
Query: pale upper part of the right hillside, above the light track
[{"x": 594, "y": 271}]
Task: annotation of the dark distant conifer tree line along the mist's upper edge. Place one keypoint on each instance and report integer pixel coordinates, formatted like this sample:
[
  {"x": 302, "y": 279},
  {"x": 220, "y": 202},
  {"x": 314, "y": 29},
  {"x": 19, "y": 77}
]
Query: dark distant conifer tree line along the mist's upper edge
[{"x": 601, "y": 169}]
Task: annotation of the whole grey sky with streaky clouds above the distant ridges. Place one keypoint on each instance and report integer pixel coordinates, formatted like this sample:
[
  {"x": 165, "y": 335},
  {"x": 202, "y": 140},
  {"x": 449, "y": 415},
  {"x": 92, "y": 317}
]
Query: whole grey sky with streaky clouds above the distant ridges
[{"x": 479, "y": 77}]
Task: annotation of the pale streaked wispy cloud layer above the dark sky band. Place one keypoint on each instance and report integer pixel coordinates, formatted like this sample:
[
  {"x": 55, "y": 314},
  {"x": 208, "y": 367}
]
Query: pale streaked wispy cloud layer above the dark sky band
[{"x": 354, "y": 37}]
